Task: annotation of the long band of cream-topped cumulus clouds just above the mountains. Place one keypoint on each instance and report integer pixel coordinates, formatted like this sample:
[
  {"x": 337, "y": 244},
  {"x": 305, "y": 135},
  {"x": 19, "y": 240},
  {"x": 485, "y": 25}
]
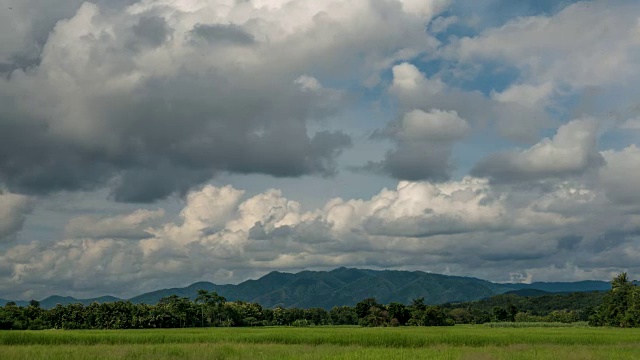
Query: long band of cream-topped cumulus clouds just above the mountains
[{"x": 222, "y": 235}]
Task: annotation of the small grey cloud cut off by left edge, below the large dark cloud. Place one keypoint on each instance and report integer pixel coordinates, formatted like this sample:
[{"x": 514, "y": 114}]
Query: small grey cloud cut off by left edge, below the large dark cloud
[{"x": 13, "y": 213}]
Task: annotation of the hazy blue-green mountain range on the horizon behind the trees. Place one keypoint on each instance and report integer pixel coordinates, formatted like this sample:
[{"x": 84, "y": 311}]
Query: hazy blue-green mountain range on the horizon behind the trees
[{"x": 347, "y": 286}]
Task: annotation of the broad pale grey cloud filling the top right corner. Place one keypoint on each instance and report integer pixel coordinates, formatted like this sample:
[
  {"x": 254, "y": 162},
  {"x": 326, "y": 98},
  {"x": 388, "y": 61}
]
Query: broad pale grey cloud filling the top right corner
[{"x": 559, "y": 48}]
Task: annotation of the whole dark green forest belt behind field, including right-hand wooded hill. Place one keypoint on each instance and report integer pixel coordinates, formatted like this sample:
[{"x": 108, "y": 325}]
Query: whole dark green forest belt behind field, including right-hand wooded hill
[{"x": 618, "y": 307}]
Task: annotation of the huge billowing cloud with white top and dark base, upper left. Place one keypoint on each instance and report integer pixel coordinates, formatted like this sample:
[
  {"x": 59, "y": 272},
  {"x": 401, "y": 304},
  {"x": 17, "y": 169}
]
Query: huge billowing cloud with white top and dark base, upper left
[{"x": 151, "y": 98}]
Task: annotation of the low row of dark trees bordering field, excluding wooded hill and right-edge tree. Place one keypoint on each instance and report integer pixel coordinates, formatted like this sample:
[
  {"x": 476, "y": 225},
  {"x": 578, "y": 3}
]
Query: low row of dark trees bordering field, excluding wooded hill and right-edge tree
[{"x": 211, "y": 310}]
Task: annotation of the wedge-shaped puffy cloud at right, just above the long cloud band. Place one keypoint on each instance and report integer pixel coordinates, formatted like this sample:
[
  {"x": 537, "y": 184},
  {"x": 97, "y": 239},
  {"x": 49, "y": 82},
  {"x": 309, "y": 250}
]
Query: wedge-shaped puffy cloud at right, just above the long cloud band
[{"x": 572, "y": 151}]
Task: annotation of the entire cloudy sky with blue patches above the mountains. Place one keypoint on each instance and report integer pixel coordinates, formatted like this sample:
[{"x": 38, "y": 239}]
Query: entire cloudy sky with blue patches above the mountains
[{"x": 147, "y": 144}]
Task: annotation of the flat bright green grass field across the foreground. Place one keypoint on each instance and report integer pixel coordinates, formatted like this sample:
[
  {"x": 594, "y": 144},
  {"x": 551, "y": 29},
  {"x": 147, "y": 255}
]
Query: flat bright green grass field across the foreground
[{"x": 458, "y": 342}]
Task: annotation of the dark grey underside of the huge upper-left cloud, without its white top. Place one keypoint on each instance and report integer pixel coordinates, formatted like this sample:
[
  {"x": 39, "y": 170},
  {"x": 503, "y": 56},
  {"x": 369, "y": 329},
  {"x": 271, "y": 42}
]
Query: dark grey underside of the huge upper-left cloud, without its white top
[{"x": 176, "y": 134}]
